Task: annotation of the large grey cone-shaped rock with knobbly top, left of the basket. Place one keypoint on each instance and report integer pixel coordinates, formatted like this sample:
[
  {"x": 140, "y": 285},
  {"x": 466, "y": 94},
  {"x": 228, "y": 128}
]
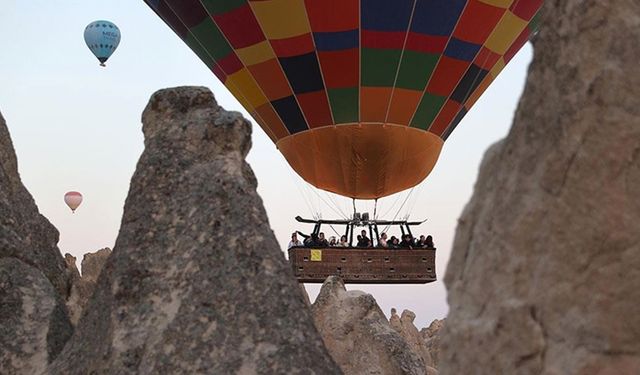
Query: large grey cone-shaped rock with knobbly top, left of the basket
[{"x": 197, "y": 282}]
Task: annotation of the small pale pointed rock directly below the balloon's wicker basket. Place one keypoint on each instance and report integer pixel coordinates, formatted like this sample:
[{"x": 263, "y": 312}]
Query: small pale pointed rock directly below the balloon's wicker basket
[{"x": 358, "y": 335}]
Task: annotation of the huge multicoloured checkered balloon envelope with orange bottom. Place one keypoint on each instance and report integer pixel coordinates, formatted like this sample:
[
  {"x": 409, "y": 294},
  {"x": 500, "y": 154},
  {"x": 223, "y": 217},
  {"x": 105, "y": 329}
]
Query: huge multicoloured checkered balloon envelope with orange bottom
[{"x": 358, "y": 95}]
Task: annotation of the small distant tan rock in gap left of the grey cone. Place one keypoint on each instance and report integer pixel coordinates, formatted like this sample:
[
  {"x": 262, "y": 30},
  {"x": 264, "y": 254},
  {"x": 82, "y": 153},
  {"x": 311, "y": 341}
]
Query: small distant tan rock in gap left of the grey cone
[{"x": 82, "y": 287}]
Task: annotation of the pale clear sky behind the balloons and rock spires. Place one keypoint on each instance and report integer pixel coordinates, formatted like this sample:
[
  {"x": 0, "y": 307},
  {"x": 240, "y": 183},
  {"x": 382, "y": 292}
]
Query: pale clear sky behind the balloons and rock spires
[{"x": 76, "y": 126}]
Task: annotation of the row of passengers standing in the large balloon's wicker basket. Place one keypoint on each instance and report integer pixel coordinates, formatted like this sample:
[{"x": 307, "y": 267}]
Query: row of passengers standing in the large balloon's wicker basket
[{"x": 405, "y": 242}]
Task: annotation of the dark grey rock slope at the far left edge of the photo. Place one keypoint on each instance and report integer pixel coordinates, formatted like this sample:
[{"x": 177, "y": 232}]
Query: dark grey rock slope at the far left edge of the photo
[{"x": 33, "y": 280}]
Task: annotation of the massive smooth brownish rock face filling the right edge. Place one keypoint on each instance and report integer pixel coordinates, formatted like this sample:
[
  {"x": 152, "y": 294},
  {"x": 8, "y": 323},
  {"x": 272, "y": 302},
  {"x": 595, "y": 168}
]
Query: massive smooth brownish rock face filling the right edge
[{"x": 545, "y": 268}]
